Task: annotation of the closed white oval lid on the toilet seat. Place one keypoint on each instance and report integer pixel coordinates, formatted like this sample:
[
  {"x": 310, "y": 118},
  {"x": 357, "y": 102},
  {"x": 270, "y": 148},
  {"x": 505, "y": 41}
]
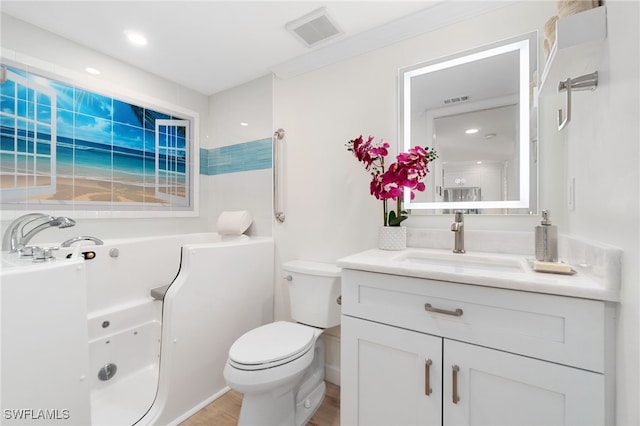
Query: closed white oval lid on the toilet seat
[{"x": 272, "y": 344}]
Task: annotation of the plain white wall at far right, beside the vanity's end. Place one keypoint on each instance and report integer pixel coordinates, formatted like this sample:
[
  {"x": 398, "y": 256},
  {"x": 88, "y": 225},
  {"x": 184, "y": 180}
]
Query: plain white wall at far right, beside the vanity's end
[{"x": 601, "y": 144}]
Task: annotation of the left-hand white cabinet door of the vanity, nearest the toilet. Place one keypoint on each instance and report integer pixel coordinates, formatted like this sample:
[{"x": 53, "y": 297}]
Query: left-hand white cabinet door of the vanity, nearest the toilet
[{"x": 384, "y": 375}]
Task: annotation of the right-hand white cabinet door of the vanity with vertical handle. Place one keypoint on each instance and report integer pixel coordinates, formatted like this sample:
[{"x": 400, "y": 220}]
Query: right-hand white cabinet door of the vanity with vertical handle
[{"x": 499, "y": 388}]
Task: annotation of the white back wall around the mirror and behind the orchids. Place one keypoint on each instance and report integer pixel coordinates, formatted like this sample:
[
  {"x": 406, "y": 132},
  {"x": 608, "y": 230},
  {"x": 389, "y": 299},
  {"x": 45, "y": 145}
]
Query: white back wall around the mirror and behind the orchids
[{"x": 323, "y": 109}]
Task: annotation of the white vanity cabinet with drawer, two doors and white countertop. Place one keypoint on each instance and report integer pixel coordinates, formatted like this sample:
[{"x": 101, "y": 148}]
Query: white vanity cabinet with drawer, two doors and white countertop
[{"x": 435, "y": 338}]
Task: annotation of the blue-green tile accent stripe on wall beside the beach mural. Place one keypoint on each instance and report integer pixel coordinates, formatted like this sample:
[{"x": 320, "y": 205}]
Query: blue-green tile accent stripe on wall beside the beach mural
[{"x": 242, "y": 157}]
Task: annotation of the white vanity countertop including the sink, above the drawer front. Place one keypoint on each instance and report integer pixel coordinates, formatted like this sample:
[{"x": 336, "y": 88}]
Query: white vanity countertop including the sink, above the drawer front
[{"x": 508, "y": 271}]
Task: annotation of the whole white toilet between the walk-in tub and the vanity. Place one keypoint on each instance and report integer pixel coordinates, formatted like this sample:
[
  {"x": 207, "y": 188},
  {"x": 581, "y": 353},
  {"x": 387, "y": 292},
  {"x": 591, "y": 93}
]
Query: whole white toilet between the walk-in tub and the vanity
[{"x": 279, "y": 367}]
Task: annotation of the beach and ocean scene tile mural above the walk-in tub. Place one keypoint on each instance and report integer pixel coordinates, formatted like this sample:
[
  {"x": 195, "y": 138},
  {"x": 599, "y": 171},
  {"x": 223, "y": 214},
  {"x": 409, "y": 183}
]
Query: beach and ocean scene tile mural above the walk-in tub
[{"x": 63, "y": 144}]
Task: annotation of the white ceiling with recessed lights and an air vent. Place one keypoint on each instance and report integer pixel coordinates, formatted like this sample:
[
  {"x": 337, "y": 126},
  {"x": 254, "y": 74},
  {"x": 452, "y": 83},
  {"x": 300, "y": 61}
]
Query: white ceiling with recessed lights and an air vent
[{"x": 210, "y": 45}]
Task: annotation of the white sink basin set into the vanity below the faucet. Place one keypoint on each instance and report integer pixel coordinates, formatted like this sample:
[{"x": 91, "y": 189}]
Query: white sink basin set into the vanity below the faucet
[{"x": 485, "y": 262}]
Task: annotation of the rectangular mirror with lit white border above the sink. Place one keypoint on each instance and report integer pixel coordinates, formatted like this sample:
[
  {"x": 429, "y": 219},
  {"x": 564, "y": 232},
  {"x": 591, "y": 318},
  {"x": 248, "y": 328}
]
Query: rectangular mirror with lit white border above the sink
[{"x": 476, "y": 109}]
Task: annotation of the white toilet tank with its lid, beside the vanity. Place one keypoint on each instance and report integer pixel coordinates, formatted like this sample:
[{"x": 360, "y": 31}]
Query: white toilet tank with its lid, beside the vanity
[{"x": 314, "y": 289}]
